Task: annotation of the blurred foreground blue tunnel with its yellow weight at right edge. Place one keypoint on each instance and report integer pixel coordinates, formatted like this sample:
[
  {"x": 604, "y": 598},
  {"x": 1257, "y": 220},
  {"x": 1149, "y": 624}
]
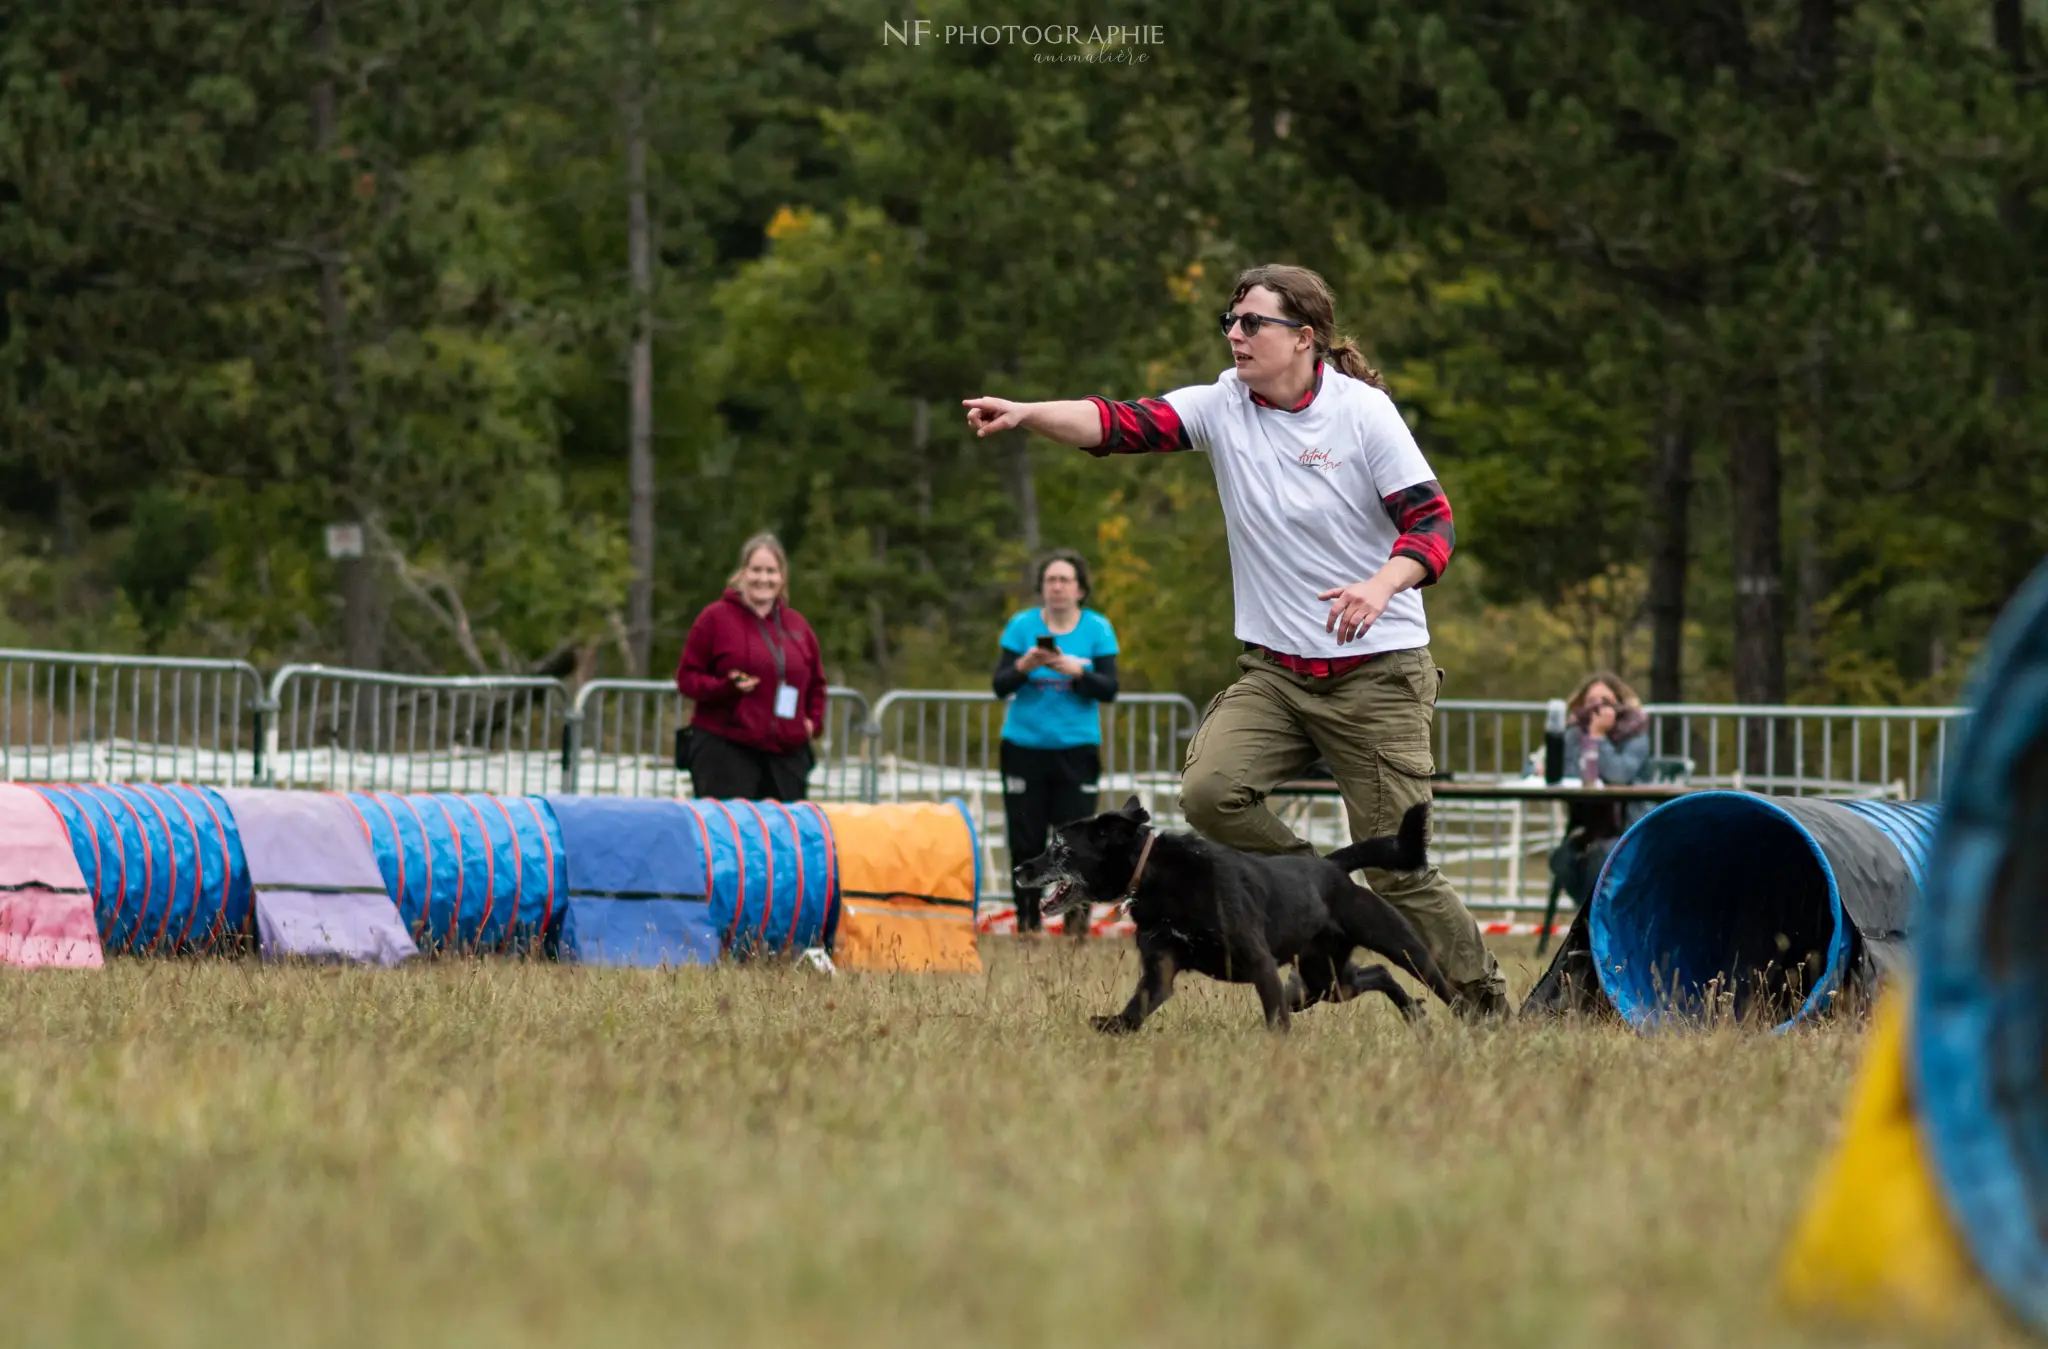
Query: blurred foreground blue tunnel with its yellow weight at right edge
[{"x": 1938, "y": 1188}]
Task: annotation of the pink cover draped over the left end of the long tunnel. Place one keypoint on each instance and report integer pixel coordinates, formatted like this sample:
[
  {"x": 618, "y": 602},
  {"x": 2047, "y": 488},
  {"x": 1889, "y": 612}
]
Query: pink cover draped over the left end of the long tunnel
[{"x": 46, "y": 912}]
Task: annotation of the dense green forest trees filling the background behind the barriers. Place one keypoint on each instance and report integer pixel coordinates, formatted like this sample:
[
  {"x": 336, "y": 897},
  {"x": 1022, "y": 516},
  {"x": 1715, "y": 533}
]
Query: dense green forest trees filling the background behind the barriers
[{"x": 1555, "y": 230}]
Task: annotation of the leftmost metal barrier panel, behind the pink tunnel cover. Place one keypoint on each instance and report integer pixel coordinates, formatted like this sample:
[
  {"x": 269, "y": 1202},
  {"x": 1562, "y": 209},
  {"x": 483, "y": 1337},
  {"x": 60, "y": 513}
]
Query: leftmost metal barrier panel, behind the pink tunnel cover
[{"x": 130, "y": 720}]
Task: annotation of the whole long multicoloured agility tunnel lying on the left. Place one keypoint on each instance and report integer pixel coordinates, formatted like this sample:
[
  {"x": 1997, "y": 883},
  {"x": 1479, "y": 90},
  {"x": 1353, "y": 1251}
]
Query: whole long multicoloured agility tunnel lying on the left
[{"x": 382, "y": 877}]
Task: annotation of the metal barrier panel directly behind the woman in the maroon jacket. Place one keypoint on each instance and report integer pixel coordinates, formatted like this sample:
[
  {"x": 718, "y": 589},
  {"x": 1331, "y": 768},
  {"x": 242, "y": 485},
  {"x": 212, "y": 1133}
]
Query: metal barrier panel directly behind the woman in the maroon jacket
[{"x": 620, "y": 740}]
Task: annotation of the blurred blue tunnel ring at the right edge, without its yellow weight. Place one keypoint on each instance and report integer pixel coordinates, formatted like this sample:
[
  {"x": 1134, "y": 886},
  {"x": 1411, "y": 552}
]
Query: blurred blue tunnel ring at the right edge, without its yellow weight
[{"x": 1979, "y": 1022}]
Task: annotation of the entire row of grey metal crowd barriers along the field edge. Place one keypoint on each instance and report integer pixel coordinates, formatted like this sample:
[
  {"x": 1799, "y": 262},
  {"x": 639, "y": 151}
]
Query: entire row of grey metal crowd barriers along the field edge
[{"x": 136, "y": 720}]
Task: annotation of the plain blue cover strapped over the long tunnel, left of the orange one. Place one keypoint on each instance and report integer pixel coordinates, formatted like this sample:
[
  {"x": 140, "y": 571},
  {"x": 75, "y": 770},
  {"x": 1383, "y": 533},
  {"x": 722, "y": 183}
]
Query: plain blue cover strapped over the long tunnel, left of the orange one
[{"x": 640, "y": 889}]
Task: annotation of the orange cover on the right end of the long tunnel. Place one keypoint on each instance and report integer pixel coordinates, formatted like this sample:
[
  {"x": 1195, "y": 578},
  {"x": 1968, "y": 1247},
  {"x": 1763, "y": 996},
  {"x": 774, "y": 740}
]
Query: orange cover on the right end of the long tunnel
[{"x": 910, "y": 883}]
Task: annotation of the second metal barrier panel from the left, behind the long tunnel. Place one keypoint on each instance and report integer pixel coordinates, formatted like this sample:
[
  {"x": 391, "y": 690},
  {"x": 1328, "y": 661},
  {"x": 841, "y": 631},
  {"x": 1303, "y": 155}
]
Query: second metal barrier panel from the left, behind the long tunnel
[{"x": 357, "y": 730}]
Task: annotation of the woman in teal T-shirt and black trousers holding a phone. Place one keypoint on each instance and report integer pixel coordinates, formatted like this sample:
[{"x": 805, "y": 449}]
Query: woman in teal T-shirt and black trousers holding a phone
[{"x": 1058, "y": 662}]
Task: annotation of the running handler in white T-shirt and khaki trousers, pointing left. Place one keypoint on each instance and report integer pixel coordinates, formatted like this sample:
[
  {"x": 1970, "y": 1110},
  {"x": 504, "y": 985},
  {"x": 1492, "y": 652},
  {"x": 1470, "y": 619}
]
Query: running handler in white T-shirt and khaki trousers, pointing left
[{"x": 1336, "y": 523}]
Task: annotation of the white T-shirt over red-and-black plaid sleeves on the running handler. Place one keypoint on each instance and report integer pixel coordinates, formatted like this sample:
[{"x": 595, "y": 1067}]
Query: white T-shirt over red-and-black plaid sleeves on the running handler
[{"x": 1314, "y": 496}]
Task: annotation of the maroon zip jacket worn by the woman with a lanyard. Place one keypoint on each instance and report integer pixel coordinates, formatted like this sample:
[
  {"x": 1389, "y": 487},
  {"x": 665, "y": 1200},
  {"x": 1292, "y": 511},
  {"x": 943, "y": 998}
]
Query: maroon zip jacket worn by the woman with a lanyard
[{"x": 728, "y": 636}]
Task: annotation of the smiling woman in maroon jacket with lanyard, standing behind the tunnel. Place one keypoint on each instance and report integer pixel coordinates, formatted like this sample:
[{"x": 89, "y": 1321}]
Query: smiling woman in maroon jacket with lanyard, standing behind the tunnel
[{"x": 757, "y": 681}]
